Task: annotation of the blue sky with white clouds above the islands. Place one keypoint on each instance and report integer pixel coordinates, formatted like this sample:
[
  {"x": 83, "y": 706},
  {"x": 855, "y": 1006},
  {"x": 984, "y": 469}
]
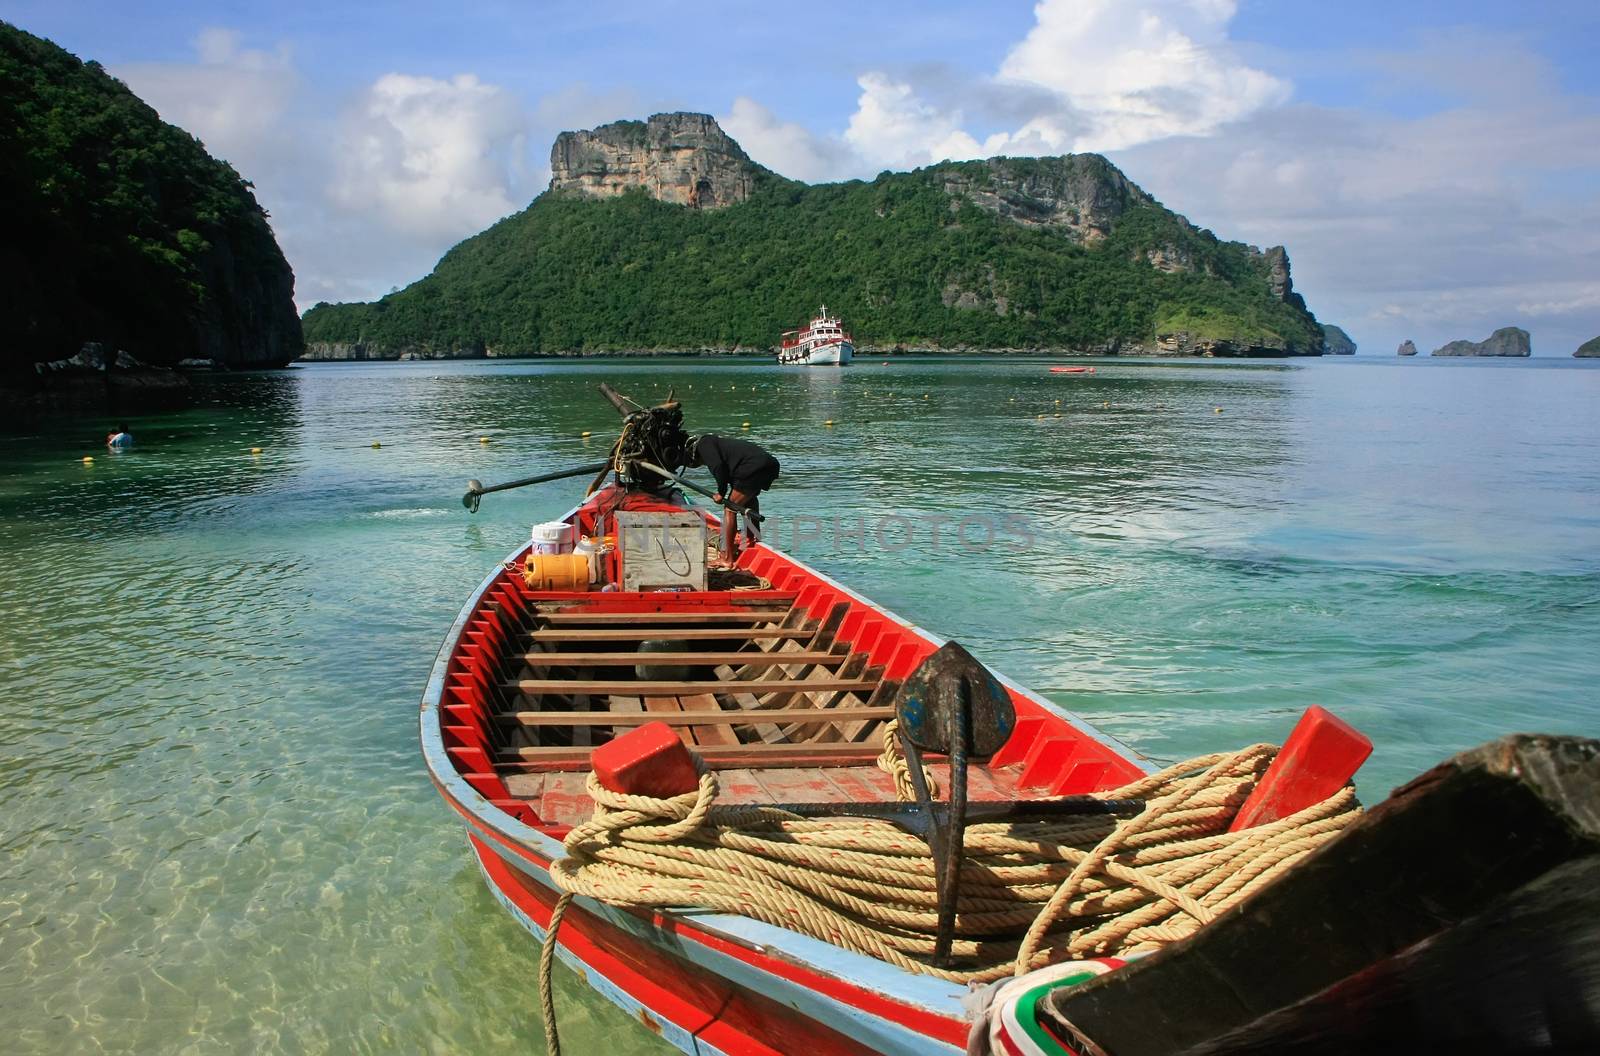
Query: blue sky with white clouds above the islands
[{"x": 1434, "y": 169}]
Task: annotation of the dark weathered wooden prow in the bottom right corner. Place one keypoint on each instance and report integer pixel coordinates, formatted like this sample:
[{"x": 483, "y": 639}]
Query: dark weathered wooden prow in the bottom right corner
[{"x": 1463, "y": 914}]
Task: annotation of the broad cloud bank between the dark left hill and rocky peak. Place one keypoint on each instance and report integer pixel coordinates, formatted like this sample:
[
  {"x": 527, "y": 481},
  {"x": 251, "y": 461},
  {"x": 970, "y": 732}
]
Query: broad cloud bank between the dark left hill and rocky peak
[{"x": 417, "y": 164}]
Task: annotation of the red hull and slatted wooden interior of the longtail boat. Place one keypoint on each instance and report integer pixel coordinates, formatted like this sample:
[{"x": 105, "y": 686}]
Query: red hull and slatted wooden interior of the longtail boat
[{"x": 783, "y": 692}]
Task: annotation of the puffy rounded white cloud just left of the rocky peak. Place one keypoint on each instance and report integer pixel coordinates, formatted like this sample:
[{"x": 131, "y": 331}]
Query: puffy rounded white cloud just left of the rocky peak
[{"x": 434, "y": 158}]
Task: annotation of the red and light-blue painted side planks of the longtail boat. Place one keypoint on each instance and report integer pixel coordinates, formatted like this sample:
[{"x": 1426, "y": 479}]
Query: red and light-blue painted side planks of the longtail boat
[{"x": 716, "y": 983}]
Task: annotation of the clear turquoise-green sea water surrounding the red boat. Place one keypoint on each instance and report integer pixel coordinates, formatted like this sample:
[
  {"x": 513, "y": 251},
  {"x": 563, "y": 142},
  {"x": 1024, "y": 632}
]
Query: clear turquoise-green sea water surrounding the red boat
[{"x": 215, "y": 825}]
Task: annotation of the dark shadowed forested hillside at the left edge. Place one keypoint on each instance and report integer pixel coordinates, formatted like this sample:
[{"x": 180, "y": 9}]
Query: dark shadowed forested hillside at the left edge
[{"x": 122, "y": 231}]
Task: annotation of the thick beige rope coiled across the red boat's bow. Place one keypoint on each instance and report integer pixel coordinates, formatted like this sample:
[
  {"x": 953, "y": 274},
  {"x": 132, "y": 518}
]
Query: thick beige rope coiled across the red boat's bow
[{"x": 1033, "y": 892}]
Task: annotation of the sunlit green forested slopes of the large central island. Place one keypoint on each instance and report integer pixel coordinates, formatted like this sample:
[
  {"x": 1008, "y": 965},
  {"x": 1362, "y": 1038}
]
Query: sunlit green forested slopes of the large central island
[{"x": 945, "y": 257}]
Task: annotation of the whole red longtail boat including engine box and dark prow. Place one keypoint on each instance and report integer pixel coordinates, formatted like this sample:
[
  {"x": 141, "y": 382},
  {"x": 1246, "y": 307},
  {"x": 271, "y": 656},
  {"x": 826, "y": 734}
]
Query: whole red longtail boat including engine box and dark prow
[{"x": 782, "y": 689}]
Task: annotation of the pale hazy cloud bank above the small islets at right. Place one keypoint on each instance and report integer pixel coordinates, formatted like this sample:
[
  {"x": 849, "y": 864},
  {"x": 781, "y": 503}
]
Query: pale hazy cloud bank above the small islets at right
[{"x": 1434, "y": 228}]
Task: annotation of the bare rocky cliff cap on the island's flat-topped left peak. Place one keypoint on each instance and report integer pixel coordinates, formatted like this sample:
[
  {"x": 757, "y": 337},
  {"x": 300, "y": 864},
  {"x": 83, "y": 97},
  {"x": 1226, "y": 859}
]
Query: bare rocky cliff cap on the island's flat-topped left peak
[{"x": 686, "y": 159}]
